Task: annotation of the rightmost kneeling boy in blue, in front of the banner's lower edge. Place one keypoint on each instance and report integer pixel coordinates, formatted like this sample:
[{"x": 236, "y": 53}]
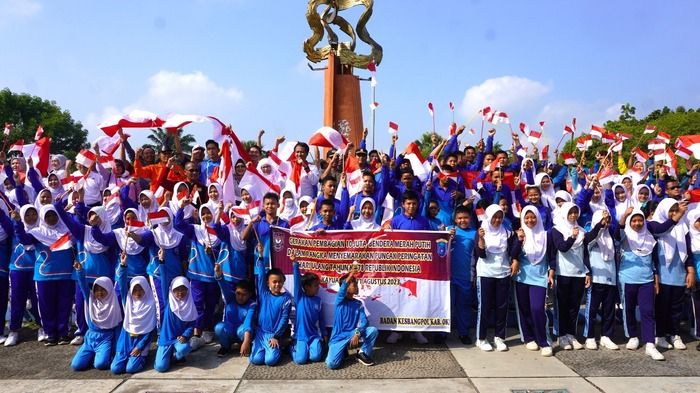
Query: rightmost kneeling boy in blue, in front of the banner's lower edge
[{"x": 350, "y": 325}]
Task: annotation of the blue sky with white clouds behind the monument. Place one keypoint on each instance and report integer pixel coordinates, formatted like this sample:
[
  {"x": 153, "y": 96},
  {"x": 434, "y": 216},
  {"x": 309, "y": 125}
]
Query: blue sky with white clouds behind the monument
[{"x": 242, "y": 61}]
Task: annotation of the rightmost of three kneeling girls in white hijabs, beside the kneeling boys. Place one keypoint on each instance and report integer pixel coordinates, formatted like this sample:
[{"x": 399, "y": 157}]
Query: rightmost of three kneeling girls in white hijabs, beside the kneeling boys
[{"x": 178, "y": 323}]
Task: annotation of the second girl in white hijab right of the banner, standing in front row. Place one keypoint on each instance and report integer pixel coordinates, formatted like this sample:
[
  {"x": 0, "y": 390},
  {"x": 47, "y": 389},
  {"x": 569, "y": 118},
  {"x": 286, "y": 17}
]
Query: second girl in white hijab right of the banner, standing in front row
[{"x": 531, "y": 281}]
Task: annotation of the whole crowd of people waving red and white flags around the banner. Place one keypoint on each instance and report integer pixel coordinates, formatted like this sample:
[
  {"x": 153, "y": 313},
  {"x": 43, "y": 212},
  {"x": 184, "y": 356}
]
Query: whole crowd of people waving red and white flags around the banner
[{"x": 147, "y": 251}]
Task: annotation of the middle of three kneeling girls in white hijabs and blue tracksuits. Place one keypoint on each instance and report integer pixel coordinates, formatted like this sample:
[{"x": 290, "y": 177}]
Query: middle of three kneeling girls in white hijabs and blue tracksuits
[{"x": 138, "y": 328}]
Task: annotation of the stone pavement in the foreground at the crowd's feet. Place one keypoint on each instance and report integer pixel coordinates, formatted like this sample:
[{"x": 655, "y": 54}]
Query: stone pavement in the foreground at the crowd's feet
[{"x": 405, "y": 367}]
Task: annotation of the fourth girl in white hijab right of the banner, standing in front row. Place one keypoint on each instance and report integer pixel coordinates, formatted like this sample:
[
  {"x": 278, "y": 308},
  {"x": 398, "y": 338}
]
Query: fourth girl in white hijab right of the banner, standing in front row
[{"x": 603, "y": 290}]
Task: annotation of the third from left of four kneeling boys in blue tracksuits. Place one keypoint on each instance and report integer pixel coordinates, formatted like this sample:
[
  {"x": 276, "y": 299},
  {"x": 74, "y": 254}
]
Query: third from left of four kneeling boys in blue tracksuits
[{"x": 309, "y": 327}]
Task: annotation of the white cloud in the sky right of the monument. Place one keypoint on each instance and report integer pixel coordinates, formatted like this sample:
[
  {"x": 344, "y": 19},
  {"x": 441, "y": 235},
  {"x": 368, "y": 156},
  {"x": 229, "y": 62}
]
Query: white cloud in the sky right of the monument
[{"x": 505, "y": 93}]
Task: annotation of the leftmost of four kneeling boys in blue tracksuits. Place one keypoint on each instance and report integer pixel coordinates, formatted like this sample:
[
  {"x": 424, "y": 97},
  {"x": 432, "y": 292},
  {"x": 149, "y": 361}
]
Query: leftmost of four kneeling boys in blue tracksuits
[{"x": 237, "y": 324}]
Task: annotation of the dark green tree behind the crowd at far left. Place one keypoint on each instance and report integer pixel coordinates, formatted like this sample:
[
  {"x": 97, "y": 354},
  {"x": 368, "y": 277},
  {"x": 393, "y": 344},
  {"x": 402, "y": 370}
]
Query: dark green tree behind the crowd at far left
[{"x": 27, "y": 112}]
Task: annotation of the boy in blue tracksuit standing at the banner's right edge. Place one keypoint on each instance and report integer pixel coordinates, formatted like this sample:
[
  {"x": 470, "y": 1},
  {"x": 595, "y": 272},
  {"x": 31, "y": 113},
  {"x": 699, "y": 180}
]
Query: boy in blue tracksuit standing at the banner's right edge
[{"x": 462, "y": 292}]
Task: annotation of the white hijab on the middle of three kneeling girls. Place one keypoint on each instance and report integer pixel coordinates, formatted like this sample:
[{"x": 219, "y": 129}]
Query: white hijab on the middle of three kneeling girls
[{"x": 140, "y": 315}]
